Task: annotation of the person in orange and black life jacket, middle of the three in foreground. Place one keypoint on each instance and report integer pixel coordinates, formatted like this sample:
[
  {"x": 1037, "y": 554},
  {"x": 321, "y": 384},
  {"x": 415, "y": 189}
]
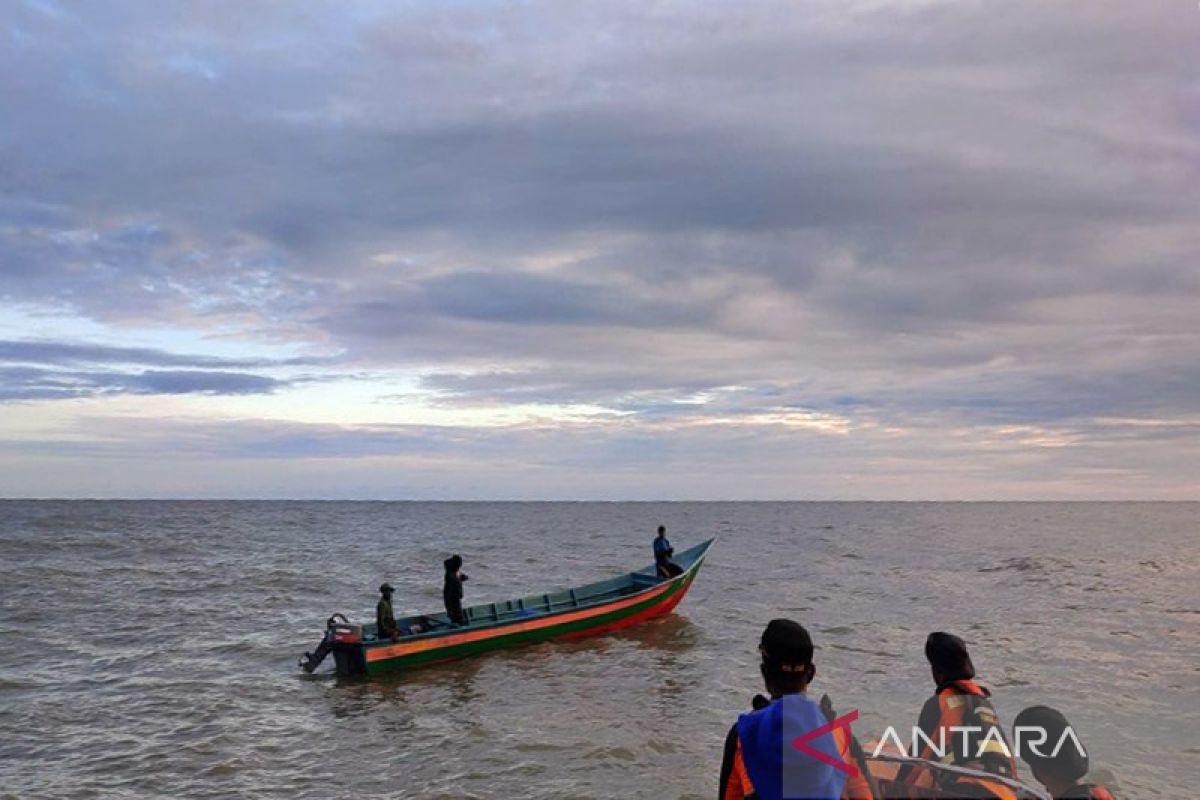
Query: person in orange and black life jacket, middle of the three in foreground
[{"x": 961, "y": 702}]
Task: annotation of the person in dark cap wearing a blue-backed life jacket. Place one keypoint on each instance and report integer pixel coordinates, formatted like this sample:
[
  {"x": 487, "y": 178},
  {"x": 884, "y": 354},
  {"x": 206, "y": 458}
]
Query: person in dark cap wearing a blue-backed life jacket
[{"x": 759, "y": 762}]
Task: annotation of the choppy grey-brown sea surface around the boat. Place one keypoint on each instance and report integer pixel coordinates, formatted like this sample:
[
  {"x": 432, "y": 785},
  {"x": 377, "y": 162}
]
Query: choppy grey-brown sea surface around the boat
[{"x": 148, "y": 648}]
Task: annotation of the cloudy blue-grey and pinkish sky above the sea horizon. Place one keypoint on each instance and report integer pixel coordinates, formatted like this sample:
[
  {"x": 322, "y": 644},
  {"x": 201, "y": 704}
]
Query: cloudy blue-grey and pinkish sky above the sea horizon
[{"x": 448, "y": 250}]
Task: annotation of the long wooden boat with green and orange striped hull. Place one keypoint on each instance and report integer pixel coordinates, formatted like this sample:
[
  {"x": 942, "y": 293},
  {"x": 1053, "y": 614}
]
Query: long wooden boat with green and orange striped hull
[{"x": 575, "y": 613}]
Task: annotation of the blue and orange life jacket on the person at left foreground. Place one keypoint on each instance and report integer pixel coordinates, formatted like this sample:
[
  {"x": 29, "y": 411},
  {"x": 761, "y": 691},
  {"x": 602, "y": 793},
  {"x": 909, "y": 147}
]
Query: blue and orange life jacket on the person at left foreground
[{"x": 770, "y": 768}]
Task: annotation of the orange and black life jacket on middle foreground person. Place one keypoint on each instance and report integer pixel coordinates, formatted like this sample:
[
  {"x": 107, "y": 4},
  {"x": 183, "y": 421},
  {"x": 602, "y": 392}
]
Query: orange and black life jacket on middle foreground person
[{"x": 965, "y": 705}]
